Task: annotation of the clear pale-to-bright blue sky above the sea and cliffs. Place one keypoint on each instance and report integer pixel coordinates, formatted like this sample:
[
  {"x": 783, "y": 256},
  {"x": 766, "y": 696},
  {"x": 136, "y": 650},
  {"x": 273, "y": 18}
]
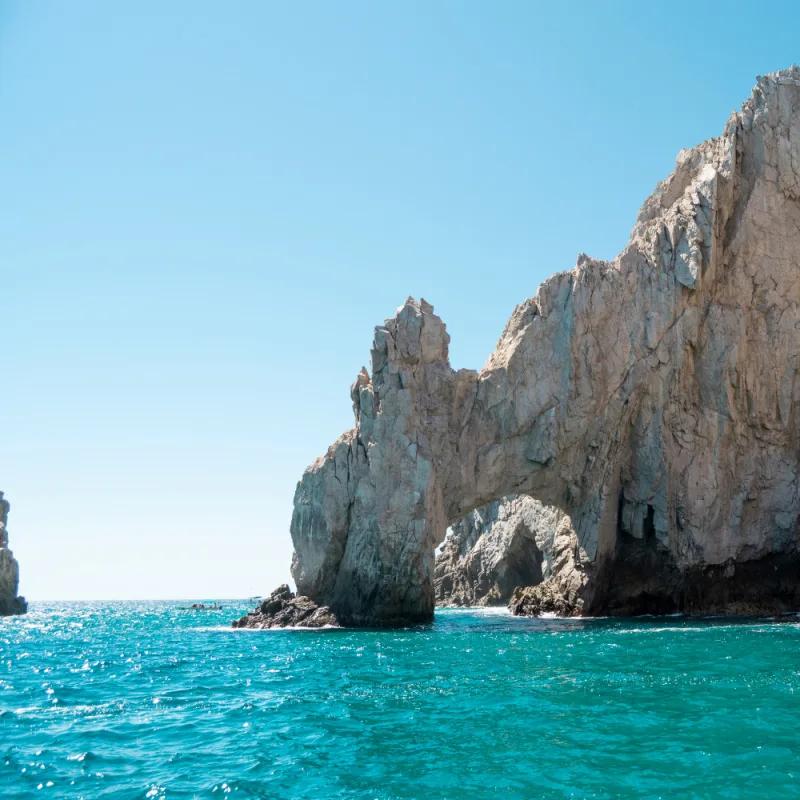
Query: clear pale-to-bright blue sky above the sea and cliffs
[{"x": 206, "y": 208}]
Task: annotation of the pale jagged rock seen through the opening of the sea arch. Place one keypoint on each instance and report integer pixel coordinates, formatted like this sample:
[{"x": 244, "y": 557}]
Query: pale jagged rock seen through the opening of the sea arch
[{"x": 515, "y": 541}]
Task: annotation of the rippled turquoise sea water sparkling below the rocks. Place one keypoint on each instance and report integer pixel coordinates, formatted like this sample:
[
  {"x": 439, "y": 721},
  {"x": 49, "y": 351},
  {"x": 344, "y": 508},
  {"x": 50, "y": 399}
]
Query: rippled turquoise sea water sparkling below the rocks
[{"x": 143, "y": 700}]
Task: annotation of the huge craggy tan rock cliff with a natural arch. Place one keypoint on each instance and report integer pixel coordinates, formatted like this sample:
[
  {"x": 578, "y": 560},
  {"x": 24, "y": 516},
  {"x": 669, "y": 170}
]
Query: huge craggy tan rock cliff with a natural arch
[{"x": 653, "y": 400}]
